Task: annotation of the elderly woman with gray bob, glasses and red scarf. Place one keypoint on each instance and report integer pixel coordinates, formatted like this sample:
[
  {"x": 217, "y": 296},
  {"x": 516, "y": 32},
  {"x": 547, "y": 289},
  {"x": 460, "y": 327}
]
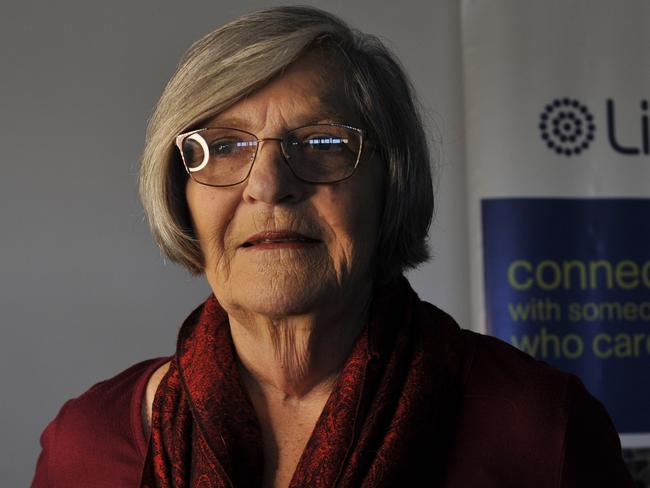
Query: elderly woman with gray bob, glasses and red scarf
[{"x": 287, "y": 162}]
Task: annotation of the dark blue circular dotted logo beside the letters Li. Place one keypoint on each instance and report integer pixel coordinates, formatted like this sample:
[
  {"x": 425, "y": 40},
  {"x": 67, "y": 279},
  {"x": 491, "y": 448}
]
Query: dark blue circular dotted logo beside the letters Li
[{"x": 567, "y": 126}]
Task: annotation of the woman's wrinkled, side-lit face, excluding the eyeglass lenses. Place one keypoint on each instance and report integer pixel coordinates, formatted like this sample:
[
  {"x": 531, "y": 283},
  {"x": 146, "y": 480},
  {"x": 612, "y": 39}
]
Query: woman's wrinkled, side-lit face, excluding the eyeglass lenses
[{"x": 280, "y": 274}]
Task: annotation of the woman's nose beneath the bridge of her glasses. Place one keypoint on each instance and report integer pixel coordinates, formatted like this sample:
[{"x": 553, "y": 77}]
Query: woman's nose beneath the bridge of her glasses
[{"x": 271, "y": 180}]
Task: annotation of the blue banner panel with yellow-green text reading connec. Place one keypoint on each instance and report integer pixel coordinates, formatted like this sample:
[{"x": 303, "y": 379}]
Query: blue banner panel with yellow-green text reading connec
[{"x": 568, "y": 281}]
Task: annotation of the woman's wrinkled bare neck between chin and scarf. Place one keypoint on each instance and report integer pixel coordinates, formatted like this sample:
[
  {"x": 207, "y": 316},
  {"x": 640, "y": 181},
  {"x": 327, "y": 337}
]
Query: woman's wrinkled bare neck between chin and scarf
[{"x": 297, "y": 357}]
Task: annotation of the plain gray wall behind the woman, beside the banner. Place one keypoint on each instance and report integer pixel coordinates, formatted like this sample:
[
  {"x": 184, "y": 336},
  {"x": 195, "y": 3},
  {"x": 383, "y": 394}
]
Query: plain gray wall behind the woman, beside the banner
[{"x": 84, "y": 292}]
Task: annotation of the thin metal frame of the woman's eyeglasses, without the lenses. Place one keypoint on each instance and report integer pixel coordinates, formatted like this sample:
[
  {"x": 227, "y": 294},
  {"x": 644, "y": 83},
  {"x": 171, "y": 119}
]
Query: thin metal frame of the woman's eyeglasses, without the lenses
[{"x": 180, "y": 139}]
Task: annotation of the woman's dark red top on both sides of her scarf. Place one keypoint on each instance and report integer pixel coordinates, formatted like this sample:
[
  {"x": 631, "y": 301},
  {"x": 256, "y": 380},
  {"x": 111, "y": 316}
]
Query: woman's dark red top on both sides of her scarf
[{"x": 520, "y": 423}]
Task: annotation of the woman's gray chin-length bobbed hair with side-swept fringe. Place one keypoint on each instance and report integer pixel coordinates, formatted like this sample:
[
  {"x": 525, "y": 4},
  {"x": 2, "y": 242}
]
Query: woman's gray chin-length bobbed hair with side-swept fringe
[{"x": 243, "y": 55}]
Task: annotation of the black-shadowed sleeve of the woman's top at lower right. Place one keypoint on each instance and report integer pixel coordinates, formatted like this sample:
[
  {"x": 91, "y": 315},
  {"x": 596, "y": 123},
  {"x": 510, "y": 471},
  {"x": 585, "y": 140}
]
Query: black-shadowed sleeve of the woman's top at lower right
[{"x": 592, "y": 449}]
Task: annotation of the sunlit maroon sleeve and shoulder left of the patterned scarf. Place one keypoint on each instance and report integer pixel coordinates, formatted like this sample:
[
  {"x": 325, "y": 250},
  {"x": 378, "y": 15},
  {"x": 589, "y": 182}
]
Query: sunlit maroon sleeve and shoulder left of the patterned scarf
[{"x": 96, "y": 440}]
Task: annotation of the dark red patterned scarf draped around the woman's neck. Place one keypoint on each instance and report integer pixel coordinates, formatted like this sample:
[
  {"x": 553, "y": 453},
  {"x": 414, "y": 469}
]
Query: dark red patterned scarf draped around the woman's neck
[{"x": 387, "y": 422}]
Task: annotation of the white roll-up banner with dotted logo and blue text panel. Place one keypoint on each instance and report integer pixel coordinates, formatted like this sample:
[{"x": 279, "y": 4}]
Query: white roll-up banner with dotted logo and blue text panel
[{"x": 557, "y": 115}]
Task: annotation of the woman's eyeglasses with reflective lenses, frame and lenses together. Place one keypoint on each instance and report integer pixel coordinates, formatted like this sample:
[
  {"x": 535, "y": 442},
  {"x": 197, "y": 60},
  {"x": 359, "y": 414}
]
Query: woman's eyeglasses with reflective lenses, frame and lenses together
[{"x": 321, "y": 153}]
